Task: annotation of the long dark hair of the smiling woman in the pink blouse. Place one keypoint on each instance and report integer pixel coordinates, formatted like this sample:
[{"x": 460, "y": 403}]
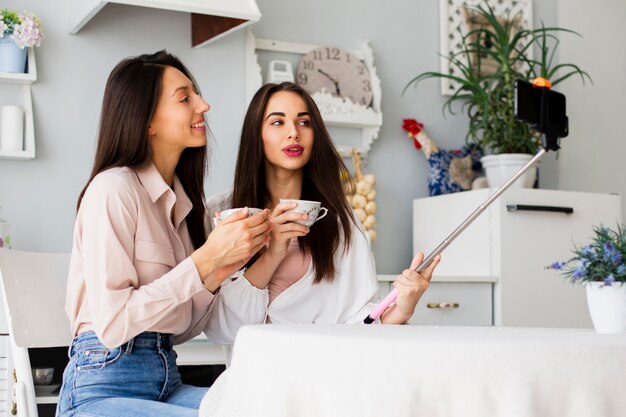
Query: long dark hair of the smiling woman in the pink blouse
[{"x": 130, "y": 99}]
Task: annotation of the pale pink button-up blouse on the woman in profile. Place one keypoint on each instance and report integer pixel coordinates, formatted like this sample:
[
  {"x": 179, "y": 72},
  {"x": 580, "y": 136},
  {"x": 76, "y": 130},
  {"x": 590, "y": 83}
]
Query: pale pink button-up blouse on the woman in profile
[{"x": 130, "y": 269}]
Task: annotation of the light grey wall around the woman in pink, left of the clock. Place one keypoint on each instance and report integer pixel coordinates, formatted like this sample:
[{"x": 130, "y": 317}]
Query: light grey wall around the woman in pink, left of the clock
[{"x": 38, "y": 197}]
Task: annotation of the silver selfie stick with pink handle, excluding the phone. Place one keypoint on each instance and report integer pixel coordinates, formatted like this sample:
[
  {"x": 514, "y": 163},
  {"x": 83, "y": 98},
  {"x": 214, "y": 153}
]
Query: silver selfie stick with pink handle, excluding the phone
[{"x": 391, "y": 297}]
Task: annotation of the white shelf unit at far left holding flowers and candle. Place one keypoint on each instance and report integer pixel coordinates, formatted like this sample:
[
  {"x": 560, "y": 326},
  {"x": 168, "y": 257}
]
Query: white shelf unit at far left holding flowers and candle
[{"x": 15, "y": 89}]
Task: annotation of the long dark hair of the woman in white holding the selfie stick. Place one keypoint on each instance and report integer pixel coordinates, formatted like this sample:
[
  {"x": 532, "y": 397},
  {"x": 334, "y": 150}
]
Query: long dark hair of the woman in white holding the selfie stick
[{"x": 321, "y": 179}]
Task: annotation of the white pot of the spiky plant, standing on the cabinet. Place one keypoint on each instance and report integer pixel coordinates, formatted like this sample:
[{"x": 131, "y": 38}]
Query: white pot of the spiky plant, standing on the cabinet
[{"x": 501, "y": 167}]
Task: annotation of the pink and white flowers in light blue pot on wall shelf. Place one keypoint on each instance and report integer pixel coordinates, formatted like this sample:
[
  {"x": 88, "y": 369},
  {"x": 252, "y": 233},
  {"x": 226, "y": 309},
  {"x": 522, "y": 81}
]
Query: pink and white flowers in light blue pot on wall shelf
[{"x": 18, "y": 31}]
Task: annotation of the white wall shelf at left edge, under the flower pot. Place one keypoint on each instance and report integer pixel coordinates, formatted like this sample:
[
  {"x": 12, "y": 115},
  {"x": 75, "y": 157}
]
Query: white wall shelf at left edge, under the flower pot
[{"x": 26, "y": 79}]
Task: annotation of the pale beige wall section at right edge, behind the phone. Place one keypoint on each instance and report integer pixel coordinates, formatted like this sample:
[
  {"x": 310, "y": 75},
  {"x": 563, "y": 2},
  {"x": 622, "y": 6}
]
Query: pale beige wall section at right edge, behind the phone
[{"x": 592, "y": 158}]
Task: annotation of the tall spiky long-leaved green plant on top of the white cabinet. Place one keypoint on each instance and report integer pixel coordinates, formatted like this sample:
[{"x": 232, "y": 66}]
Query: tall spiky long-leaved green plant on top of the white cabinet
[{"x": 492, "y": 56}]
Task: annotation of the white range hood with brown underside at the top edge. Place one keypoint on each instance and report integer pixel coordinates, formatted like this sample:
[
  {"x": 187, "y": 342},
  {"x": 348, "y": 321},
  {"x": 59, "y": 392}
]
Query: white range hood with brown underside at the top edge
[{"x": 210, "y": 19}]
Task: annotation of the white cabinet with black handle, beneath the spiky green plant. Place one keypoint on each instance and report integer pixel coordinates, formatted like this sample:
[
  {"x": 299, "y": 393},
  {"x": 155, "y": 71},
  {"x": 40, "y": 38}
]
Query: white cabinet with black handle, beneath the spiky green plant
[{"x": 515, "y": 245}]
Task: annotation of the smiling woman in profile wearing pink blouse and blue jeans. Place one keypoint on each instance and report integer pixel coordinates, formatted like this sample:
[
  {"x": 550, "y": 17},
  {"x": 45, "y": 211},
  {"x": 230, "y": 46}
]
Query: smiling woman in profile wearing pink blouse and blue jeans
[{"x": 143, "y": 273}]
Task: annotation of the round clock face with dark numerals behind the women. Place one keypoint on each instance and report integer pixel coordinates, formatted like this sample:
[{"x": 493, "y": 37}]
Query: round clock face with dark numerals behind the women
[{"x": 338, "y": 72}]
